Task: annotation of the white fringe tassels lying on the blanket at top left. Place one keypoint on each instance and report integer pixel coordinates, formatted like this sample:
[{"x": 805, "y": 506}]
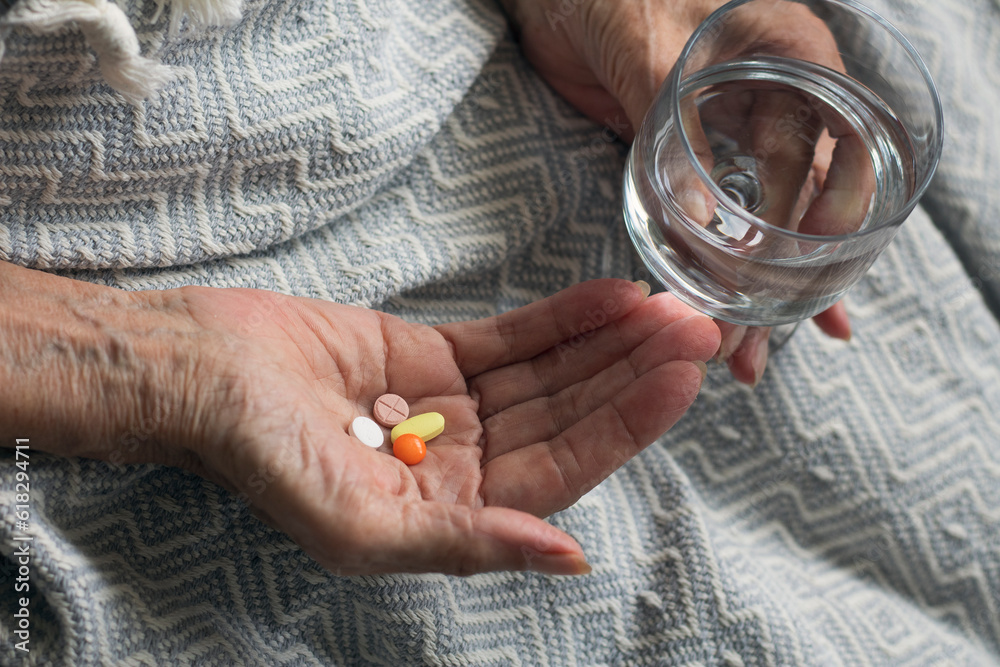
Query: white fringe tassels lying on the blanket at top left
[{"x": 107, "y": 30}]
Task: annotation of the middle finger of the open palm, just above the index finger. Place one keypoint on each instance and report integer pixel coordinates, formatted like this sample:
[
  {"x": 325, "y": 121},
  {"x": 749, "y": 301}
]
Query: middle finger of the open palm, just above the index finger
[{"x": 692, "y": 339}]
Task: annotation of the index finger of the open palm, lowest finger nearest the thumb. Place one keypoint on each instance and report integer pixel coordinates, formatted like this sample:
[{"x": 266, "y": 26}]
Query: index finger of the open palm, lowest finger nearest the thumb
[{"x": 549, "y": 476}]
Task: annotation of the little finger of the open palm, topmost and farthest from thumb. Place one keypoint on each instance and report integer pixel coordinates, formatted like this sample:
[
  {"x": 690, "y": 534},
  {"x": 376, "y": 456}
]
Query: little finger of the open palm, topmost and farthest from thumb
[{"x": 527, "y": 332}]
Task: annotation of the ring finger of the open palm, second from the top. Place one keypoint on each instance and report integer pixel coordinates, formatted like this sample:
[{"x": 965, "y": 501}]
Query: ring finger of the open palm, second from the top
[{"x": 580, "y": 357}]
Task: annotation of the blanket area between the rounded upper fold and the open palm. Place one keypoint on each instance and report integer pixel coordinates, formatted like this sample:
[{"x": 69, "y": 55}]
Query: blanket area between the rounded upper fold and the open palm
[{"x": 487, "y": 184}]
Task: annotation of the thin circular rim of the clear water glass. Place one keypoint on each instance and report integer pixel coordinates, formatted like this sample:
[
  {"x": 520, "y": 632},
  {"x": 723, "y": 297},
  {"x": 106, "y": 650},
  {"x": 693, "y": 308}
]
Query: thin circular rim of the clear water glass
[{"x": 751, "y": 219}]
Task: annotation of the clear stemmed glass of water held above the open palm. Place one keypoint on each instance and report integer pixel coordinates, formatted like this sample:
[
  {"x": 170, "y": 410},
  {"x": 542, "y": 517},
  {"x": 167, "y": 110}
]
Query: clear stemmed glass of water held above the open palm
[{"x": 787, "y": 146}]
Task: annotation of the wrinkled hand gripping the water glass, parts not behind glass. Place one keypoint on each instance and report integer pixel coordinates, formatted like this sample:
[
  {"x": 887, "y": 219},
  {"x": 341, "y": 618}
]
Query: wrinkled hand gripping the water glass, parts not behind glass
[{"x": 609, "y": 59}]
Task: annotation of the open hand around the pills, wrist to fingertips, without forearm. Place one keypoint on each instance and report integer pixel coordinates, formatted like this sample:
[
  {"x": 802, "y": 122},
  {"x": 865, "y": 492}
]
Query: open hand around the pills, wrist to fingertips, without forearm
[{"x": 541, "y": 404}]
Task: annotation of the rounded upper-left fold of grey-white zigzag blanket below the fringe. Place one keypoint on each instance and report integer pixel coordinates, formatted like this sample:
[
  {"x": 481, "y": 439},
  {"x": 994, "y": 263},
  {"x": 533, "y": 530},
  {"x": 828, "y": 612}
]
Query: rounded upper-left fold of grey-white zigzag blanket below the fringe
[{"x": 280, "y": 125}]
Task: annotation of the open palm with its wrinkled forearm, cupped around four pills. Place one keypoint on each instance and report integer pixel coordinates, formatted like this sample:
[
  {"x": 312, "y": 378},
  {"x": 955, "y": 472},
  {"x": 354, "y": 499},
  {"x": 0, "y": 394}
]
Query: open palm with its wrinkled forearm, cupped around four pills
[{"x": 256, "y": 390}]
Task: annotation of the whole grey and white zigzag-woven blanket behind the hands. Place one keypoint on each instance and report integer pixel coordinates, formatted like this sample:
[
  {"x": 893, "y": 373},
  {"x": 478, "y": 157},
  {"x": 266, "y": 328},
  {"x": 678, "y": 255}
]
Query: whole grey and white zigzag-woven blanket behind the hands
[{"x": 403, "y": 156}]
